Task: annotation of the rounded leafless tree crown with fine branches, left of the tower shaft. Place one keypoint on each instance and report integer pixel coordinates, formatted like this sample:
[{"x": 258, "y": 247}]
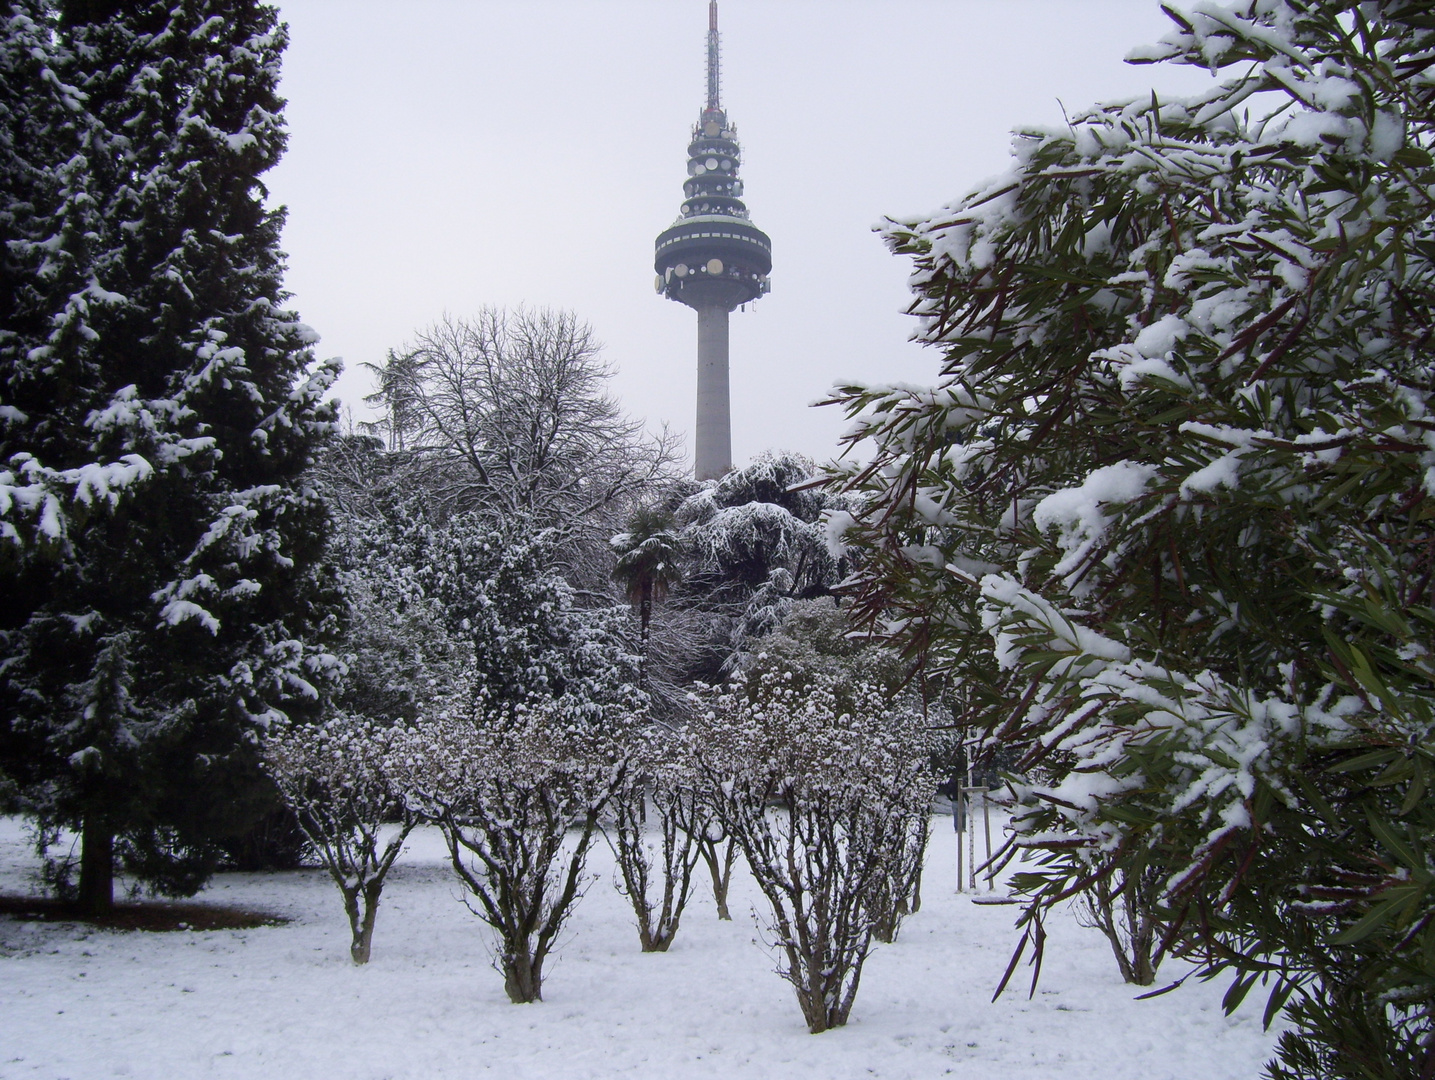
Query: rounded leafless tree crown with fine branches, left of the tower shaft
[{"x": 509, "y": 412}]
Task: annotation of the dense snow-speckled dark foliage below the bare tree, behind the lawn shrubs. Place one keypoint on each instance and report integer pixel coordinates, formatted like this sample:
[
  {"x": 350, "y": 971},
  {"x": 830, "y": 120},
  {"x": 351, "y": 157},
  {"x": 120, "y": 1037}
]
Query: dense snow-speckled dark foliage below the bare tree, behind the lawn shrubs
[{"x": 444, "y": 600}]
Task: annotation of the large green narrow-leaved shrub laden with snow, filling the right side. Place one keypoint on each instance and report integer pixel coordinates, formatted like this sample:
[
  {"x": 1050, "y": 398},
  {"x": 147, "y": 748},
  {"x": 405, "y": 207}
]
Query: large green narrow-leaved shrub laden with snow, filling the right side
[{"x": 1166, "y": 514}]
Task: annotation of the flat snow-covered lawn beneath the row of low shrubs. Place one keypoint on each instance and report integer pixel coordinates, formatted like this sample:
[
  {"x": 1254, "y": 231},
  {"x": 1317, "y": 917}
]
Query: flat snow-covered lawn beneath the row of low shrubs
[{"x": 285, "y": 1002}]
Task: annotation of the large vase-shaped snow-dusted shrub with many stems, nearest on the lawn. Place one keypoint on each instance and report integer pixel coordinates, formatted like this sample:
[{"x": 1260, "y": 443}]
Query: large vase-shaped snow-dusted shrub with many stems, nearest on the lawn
[{"x": 824, "y": 785}]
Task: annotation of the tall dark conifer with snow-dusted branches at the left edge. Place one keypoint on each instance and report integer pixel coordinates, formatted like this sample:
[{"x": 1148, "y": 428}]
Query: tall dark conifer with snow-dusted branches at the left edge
[{"x": 161, "y": 408}]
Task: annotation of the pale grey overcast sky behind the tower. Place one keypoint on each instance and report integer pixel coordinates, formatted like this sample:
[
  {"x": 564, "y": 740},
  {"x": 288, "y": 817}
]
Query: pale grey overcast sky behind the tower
[{"x": 450, "y": 156}]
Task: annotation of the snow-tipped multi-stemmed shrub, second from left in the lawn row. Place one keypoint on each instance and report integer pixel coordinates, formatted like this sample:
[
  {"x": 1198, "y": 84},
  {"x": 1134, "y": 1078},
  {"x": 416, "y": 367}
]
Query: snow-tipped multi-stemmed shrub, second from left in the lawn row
[{"x": 517, "y": 795}]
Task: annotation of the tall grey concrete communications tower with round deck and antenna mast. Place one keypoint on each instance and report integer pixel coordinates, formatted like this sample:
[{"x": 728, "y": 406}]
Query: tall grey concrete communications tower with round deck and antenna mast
[{"x": 714, "y": 259}]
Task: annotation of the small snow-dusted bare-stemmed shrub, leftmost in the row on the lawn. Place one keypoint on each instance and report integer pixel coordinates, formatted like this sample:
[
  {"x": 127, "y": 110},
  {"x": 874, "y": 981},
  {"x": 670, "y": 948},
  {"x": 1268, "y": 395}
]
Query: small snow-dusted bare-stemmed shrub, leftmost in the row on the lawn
[{"x": 335, "y": 778}]
